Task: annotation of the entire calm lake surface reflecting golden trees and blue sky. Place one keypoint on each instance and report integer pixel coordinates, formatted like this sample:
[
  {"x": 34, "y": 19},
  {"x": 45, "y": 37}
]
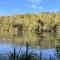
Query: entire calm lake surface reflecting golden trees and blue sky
[{"x": 47, "y": 41}]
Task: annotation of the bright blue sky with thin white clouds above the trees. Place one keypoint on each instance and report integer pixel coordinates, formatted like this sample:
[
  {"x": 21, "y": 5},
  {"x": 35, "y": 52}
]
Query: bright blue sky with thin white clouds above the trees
[{"x": 10, "y": 7}]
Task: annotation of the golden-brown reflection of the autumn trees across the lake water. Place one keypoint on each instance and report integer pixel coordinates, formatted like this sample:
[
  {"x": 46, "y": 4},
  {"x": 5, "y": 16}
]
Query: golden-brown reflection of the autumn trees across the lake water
[{"x": 43, "y": 40}]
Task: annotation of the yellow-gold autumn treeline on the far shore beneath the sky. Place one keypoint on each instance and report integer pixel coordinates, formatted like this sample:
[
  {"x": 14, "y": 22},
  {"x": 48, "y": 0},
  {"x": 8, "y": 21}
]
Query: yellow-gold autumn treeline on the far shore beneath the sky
[{"x": 44, "y": 21}]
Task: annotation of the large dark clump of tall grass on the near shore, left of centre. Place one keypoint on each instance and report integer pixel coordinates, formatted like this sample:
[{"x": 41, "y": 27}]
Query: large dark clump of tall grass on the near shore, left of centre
[{"x": 25, "y": 56}]
